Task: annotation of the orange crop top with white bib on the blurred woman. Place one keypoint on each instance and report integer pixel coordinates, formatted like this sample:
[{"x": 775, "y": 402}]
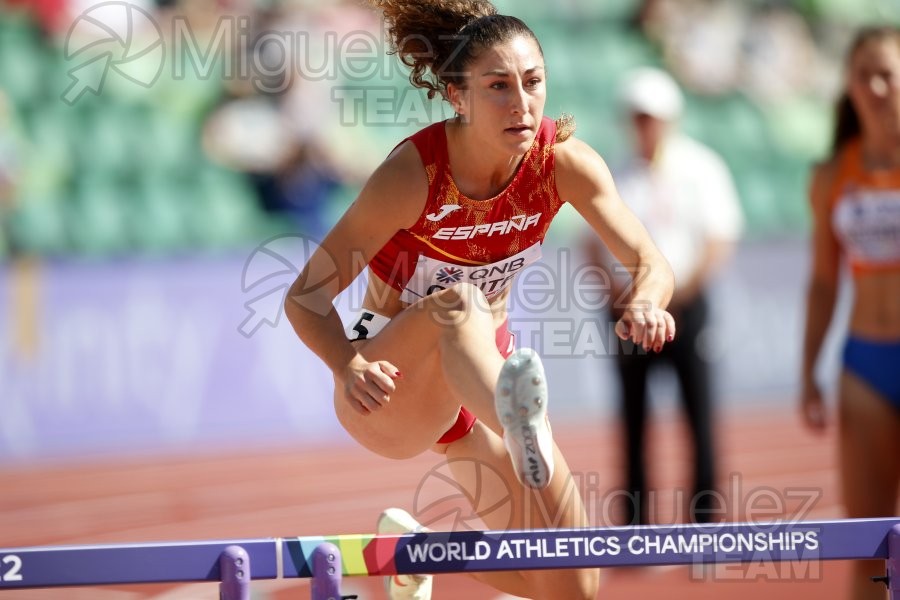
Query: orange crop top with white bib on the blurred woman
[{"x": 866, "y": 212}]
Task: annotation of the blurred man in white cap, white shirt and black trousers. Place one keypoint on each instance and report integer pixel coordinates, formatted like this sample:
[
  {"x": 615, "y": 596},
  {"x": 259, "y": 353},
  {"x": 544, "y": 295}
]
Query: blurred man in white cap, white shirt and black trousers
[{"x": 684, "y": 195}]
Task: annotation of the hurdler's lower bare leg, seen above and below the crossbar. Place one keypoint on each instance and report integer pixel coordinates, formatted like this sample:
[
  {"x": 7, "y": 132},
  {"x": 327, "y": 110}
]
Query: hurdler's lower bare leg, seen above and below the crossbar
[{"x": 559, "y": 505}]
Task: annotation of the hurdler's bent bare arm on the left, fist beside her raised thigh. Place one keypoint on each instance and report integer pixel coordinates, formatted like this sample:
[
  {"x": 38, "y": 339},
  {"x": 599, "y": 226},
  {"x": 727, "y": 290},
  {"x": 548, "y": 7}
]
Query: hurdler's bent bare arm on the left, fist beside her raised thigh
[{"x": 392, "y": 199}]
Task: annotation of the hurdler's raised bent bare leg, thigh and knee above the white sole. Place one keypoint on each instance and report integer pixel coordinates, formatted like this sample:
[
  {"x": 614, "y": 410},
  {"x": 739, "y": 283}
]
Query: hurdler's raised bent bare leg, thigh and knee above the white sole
[{"x": 444, "y": 346}]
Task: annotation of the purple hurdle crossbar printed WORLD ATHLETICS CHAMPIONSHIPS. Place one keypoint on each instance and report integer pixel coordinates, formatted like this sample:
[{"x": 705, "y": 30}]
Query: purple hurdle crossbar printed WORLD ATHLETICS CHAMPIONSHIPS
[{"x": 326, "y": 560}]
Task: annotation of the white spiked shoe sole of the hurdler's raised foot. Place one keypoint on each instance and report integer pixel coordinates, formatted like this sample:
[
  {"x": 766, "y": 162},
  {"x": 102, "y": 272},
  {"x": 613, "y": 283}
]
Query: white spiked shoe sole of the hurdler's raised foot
[{"x": 521, "y": 404}]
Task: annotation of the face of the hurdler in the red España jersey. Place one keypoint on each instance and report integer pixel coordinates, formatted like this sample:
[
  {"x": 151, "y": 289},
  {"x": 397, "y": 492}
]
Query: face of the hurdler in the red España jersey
[{"x": 504, "y": 97}]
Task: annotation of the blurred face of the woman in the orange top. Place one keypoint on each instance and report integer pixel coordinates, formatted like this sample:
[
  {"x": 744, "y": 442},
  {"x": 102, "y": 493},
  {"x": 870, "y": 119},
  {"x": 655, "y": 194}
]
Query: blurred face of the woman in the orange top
[{"x": 874, "y": 84}]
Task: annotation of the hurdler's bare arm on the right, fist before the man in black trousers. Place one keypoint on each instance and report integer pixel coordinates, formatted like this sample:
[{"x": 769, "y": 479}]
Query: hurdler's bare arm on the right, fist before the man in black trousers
[{"x": 584, "y": 181}]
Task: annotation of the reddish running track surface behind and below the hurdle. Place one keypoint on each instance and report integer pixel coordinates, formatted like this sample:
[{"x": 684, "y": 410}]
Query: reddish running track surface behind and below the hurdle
[{"x": 308, "y": 491}]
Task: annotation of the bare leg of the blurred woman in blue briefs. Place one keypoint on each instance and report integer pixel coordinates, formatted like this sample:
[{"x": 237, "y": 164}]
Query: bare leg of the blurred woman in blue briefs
[{"x": 870, "y": 467}]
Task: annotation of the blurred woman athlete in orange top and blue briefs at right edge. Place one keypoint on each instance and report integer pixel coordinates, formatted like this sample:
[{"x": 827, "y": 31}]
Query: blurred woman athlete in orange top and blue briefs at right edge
[{"x": 855, "y": 197}]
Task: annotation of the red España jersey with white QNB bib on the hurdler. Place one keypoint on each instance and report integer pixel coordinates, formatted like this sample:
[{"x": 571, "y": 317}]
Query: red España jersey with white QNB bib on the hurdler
[{"x": 458, "y": 239}]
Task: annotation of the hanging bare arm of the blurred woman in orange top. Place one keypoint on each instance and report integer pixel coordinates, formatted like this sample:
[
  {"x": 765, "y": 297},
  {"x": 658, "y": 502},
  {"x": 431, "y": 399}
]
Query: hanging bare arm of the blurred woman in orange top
[{"x": 821, "y": 293}]
